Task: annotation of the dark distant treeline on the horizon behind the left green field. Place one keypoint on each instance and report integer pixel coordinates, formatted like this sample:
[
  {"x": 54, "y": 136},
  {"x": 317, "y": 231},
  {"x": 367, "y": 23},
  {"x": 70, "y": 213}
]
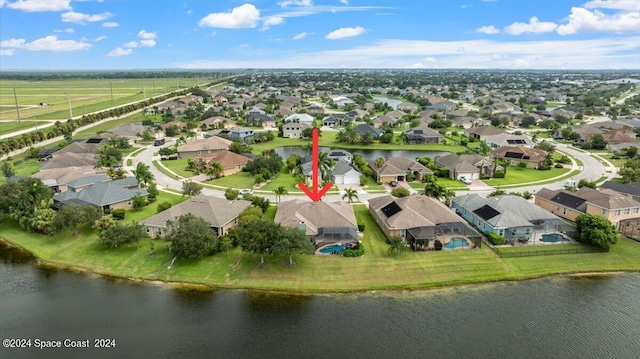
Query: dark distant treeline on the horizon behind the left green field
[{"x": 75, "y": 75}]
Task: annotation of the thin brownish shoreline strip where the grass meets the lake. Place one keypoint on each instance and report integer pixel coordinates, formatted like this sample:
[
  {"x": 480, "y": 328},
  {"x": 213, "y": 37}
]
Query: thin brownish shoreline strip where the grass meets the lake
[{"x": 192, "y": 286}]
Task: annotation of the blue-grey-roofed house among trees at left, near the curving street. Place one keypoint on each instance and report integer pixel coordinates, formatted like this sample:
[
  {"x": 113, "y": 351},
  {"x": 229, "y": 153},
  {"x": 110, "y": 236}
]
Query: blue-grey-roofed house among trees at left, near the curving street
[{"x": 102, "y": 192}]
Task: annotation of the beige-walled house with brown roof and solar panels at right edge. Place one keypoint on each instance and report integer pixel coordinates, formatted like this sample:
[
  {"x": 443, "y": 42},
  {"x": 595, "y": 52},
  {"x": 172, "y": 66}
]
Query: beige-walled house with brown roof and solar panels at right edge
[{"x": 621, "y": 210}]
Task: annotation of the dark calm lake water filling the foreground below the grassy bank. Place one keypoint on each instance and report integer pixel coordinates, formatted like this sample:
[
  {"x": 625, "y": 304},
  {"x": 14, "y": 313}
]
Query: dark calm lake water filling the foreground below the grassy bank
[{"x": 549, "y": 318}]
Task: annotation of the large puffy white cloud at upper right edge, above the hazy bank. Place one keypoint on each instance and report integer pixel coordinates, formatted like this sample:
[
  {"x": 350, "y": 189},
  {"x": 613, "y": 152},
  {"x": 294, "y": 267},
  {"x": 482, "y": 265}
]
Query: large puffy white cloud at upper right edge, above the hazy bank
[{"x": 583, "y": 20}]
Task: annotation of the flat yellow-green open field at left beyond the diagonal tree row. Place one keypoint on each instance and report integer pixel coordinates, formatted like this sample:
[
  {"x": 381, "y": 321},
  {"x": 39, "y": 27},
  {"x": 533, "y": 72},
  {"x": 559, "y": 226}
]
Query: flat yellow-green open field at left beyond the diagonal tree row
[{"x": 85, "y": 95}]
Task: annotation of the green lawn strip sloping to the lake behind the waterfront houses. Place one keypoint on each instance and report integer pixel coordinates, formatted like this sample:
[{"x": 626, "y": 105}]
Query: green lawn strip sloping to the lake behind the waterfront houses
[{"x": 376, "y": 270}]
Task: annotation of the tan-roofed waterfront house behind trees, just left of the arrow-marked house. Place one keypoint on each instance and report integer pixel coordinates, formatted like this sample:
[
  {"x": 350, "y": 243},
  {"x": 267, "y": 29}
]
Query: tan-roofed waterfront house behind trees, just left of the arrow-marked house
[{"x": 222, "y": 214}]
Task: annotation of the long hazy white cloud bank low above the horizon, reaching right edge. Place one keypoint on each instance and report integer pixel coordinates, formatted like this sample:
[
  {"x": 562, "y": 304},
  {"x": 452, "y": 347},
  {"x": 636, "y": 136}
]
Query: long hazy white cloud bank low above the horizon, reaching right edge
[{"x": 614, "y": 52}]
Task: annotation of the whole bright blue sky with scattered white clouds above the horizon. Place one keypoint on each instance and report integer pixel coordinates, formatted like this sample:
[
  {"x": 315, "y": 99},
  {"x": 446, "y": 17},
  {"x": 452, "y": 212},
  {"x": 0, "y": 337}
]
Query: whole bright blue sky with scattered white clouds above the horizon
[{"x": 208, "y": 34}]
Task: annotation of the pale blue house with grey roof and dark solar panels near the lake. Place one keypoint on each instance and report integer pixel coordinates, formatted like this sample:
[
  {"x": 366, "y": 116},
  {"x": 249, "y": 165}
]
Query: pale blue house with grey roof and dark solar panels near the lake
[{"x": 511, "y": 217}]
